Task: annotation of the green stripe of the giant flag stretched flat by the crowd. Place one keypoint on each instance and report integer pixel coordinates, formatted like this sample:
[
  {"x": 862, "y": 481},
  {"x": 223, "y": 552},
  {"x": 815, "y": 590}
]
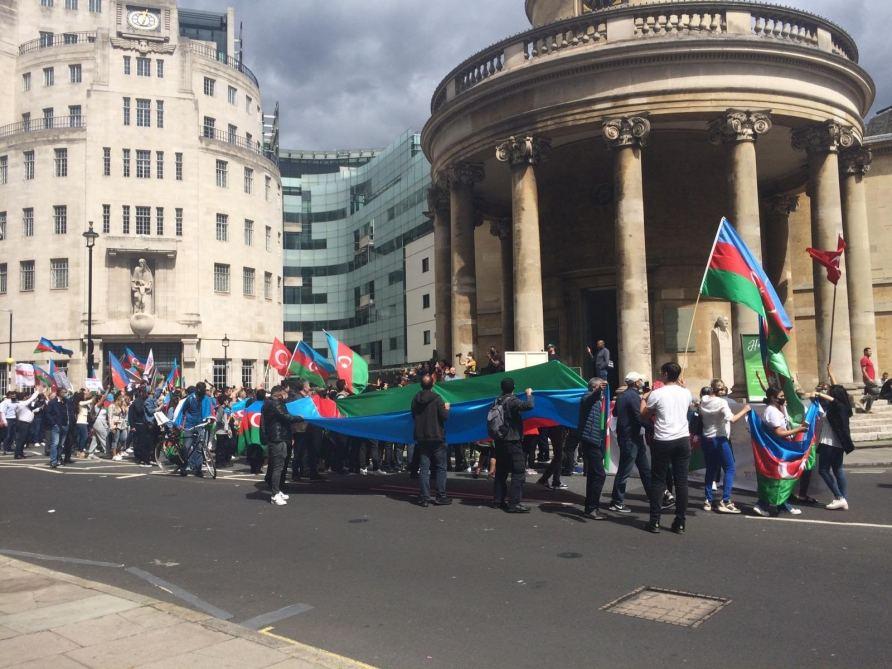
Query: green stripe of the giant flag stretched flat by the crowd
[{"x": 548, "y": 376}]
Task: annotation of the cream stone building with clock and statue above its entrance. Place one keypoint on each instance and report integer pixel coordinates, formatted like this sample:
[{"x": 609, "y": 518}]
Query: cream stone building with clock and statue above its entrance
[{"x": 142, "y": 119}]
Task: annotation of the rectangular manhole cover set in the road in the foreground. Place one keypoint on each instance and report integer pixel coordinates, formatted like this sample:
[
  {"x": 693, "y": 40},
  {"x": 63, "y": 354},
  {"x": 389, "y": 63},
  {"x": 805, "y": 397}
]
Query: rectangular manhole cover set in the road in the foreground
[{"x": 667, "y": 606}]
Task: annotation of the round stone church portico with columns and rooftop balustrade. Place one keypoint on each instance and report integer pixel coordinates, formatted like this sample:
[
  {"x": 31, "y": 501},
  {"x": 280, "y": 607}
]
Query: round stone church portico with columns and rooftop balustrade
[{"x": 604, "y": 145}]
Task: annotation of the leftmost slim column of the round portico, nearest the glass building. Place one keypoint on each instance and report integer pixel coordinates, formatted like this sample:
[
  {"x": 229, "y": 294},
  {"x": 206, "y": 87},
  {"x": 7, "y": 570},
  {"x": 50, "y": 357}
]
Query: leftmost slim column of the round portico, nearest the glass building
[{"x": 438, "y": 211}]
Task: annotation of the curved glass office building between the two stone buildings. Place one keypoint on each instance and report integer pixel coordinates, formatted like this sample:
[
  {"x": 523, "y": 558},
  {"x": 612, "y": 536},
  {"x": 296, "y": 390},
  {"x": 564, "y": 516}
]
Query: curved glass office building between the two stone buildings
[{"x": 348, "y": 216}]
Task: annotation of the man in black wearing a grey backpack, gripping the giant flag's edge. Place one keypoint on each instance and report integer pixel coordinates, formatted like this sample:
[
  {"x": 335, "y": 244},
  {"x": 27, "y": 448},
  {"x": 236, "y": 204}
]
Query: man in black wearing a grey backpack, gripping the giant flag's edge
[{"x": 505, "y": 426}]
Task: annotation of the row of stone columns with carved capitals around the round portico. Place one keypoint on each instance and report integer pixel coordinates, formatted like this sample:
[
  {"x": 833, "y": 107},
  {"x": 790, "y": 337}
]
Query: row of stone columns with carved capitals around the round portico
[{"x": 837, "y": 203}]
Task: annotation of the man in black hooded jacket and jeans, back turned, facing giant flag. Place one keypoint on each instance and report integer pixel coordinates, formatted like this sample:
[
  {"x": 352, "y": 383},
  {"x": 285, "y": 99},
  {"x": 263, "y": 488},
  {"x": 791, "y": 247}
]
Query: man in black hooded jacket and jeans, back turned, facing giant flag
[{"x": 429, "y": 413}]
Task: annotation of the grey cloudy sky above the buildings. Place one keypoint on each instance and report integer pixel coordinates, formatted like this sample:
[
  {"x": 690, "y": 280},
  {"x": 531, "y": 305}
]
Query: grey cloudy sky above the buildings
[{"x": 357, "y": 73}]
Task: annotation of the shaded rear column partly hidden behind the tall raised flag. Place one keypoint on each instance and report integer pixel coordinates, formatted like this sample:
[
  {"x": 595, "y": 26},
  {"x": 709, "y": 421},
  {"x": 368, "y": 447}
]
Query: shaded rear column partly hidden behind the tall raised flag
[{"x": 778, "y": 262}]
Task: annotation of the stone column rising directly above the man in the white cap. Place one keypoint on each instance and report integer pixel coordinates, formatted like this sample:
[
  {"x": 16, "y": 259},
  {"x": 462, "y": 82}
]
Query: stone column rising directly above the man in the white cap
[{"x": 627, "y": 136}]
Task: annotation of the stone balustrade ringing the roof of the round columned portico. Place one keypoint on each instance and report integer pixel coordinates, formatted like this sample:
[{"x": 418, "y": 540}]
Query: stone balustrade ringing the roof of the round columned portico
[{"x": 706, "y": 19}]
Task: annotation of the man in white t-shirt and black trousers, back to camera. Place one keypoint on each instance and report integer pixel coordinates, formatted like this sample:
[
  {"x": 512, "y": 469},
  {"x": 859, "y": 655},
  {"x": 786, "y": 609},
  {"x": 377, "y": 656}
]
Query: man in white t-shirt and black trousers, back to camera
[{"x": 671, "y": 446}]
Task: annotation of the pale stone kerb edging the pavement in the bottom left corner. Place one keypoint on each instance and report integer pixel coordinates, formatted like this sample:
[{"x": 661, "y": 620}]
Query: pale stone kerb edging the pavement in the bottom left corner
[{"x": 311, "y": 655}]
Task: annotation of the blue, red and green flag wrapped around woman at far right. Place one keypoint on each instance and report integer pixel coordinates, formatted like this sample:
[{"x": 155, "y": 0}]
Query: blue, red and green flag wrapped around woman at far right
[{"x": 780, "y": 462}]
